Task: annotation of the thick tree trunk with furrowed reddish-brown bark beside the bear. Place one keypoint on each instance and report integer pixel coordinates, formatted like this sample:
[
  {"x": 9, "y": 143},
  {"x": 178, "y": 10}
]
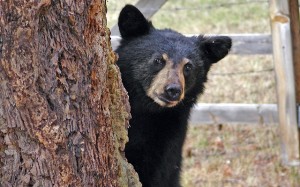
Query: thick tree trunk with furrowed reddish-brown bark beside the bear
[{"x": 63, "y": 109}]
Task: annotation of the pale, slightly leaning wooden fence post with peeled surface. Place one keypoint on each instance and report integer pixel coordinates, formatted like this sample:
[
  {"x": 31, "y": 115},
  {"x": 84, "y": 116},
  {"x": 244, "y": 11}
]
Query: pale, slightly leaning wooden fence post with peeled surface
[{"x": 285, "y": 80}]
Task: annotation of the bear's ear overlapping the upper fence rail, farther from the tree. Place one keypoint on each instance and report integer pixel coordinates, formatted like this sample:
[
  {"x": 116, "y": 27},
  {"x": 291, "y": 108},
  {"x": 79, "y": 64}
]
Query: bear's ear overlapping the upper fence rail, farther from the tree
[{"x": 215, "y": 47}]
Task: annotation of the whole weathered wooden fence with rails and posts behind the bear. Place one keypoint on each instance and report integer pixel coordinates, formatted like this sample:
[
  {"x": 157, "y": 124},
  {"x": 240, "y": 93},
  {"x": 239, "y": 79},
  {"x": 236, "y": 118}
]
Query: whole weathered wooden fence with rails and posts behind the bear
[{"x": 285, "y": 48}]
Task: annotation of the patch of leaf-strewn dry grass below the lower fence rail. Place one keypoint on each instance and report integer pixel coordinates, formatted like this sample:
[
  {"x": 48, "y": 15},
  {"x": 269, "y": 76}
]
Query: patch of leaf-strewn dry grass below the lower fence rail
[{"x": 235, "y": 156}]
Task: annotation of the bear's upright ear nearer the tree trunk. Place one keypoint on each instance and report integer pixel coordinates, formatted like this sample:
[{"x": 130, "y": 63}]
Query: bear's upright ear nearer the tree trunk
[{"x": 132, "y": 22}]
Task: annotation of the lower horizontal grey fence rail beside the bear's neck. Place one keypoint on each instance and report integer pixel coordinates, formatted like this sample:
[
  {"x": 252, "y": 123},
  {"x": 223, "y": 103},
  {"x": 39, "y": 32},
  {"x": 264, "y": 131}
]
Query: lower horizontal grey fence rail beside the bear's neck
[{"x": 208, "y": 114}]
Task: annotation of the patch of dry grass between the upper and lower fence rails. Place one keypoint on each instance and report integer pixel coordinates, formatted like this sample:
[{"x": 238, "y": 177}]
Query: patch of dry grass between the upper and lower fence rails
[{"x": 241, "y": 79}]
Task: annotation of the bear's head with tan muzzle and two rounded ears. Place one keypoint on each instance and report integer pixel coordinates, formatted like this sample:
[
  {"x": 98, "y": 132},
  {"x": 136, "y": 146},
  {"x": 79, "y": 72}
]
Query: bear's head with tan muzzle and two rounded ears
[{"x": 163, "y": 68}]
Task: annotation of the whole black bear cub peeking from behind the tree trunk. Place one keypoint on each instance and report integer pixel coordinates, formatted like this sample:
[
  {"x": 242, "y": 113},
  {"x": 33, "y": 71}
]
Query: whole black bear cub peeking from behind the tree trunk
[{"x": 163, "y": 72}]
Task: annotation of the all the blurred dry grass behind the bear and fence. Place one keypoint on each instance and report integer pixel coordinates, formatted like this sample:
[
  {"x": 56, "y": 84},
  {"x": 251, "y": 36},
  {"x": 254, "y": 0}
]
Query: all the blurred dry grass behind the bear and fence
[{"x": 226, "y": 154}]
